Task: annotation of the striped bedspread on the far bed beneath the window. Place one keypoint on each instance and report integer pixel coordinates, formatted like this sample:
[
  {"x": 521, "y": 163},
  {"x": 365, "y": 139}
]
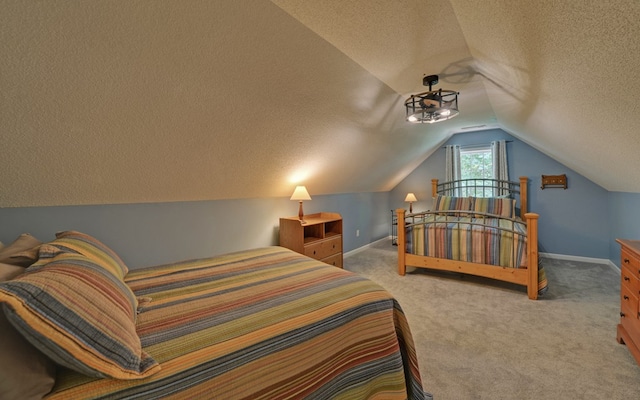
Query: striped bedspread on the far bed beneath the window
[{"x": 493, "y": 241}]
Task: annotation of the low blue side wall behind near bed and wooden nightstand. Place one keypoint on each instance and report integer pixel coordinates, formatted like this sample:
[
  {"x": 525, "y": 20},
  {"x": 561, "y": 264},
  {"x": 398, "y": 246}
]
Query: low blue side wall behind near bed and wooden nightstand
[{"x": 150, "y": 234}]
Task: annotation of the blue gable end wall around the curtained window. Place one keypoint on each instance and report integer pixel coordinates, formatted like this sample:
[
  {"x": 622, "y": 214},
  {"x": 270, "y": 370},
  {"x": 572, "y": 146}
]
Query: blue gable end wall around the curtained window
[{"x": 573, "y": 222}]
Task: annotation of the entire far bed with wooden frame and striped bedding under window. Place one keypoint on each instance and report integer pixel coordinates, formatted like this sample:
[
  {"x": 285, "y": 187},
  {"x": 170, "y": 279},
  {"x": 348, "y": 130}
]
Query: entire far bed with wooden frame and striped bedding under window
[{"x": 482, "y": 236}]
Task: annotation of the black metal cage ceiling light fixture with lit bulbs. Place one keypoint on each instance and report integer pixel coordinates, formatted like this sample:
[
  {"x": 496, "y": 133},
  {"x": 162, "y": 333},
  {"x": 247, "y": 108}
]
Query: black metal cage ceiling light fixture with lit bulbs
[{"x": 432, "y": 106}]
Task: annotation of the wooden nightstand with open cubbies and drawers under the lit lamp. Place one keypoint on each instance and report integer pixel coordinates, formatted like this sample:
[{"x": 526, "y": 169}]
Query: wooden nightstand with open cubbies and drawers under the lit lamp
[{"x": 320, "y": 237}]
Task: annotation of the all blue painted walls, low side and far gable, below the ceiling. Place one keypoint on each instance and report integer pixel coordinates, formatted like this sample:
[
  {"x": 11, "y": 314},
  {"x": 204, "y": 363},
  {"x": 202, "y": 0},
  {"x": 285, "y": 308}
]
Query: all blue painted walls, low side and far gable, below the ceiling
[{"x": 582, "y": 221}]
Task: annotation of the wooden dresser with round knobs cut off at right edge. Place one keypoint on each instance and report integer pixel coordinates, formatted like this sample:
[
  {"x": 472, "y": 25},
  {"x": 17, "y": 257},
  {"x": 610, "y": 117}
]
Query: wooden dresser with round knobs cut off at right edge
[{"x": 629, "y": 326}]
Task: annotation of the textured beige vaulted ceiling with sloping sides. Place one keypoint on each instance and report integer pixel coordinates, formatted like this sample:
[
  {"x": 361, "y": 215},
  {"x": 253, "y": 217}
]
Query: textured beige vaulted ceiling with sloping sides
[{"x": 107, "y": 102}]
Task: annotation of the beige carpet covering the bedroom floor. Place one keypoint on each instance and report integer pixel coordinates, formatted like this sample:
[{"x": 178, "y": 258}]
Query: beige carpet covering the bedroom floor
[{"x": 479, "y": 339}]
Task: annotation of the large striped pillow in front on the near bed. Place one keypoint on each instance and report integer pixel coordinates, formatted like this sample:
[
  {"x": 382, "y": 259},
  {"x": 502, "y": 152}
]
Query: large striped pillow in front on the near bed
[{"x": 80, "y": 314}]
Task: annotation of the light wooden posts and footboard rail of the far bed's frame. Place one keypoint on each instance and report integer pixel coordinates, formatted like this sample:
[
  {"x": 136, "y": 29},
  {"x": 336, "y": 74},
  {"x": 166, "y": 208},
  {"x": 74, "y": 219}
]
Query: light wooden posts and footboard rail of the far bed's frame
[{"x": 521, "y": 276}]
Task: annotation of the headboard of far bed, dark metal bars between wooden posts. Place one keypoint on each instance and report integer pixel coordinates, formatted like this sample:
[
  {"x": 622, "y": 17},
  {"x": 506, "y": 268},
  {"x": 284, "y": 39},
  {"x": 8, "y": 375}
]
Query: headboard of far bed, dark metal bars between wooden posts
[{"x": 477, "y": 186}]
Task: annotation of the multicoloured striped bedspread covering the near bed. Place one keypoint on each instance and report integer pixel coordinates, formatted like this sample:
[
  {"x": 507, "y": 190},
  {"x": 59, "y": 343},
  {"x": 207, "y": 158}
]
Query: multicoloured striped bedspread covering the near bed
[{"x": 263, "y": 324}]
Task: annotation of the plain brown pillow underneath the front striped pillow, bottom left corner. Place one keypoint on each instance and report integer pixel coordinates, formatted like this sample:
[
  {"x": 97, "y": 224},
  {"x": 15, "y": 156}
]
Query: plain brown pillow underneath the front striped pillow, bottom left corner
[{"x": 31, "y": 374}]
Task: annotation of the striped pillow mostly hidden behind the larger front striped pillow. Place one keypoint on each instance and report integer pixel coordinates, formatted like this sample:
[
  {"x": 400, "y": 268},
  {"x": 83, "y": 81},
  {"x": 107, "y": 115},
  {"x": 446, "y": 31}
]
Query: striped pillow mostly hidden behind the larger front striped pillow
[{"x": 88, "y": 246}]
